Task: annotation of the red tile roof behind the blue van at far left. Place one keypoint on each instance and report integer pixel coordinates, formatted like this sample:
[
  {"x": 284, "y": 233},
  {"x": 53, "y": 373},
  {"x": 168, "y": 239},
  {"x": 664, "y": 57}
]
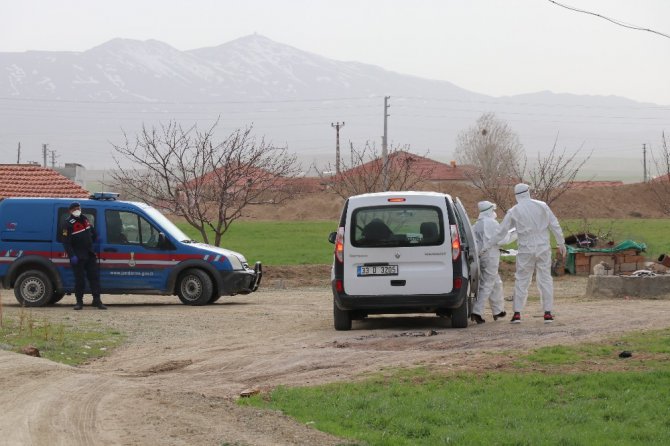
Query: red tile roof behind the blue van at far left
[{"x": 27, "y": 180}]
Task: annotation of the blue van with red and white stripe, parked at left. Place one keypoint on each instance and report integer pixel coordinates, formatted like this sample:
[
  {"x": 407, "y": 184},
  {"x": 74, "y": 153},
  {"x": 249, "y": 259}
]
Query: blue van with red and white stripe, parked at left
[{"x": 139, "y": 251}]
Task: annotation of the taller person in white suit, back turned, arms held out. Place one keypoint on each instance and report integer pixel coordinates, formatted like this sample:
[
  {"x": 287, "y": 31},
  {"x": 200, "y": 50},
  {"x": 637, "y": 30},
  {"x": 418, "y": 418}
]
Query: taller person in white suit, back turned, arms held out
[{"x": 533, "y": 220}]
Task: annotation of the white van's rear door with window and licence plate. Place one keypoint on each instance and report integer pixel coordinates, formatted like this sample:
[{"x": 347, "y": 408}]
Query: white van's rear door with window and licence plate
[{"x": 397, "y": 246}]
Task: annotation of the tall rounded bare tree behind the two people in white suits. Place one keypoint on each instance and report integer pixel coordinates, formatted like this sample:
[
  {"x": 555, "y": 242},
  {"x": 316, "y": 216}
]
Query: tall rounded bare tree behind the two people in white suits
[{"x": 496, "y": 158}]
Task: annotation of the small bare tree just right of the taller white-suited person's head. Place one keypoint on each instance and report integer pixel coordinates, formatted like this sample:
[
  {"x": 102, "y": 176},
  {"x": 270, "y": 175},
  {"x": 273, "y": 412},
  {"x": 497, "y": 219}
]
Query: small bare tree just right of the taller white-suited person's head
[{"x": 555, "y": 173}]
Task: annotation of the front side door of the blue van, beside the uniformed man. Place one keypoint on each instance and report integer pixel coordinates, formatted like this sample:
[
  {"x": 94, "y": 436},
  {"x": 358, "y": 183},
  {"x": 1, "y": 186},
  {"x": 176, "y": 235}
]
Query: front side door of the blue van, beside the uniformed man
[{"x": 130, "y": 257}]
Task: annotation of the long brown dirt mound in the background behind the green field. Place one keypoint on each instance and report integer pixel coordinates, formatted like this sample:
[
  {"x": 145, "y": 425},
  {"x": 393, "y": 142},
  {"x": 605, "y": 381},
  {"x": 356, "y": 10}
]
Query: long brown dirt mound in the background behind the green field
[{"x": 626, "y": 201}]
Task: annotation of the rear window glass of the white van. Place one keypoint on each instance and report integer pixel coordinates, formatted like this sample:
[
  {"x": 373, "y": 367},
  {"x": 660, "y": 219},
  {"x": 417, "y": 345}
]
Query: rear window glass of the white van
[{"x": 393, "y": 226}]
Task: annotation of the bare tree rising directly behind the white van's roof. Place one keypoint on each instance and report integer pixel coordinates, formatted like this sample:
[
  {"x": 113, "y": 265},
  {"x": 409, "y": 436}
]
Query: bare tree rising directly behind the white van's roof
[{"x": 365, "y": 172}]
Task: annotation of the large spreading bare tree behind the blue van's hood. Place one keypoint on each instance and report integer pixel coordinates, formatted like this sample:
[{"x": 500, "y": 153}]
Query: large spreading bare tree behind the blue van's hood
[{"x": 208, "y": 183}]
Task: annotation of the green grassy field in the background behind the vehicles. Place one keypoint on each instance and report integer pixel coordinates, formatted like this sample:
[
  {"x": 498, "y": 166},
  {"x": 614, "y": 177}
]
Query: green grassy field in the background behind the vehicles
[{"x": 306, "y": 242}]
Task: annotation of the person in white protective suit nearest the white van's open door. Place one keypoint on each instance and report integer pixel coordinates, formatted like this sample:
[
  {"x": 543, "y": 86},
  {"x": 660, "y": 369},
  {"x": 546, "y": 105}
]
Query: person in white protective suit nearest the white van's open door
[{"x": 490, "y": 284}]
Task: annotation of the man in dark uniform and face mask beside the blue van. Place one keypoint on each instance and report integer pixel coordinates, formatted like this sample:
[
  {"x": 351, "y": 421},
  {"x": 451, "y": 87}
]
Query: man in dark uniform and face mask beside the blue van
[{"x": 78, "y": 238}]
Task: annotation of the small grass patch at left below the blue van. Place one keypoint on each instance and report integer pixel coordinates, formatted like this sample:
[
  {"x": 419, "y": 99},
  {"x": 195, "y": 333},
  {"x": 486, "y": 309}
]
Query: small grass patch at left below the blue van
[{"x": 71, "y": 344}]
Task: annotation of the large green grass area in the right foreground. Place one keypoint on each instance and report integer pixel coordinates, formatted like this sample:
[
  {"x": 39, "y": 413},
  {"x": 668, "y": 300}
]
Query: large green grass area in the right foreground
[{"x": 580, "y": 395}]
